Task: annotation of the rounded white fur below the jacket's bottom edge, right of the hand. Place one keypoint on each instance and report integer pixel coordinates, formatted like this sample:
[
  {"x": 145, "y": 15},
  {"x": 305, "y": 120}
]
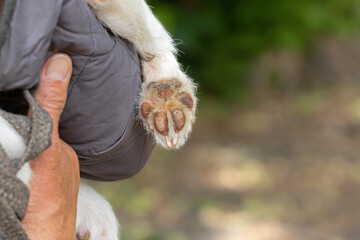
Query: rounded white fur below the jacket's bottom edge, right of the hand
[{"x": 95, "y": 215}]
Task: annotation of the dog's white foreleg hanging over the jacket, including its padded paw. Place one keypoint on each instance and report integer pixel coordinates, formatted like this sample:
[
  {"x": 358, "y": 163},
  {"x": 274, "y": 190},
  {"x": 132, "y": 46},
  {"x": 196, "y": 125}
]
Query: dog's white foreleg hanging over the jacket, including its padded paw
[{"x": 167, "y": 103}]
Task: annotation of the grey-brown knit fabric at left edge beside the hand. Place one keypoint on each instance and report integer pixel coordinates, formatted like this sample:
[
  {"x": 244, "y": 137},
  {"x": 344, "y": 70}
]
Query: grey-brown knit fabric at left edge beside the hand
[{"x": 14, "y": 194}]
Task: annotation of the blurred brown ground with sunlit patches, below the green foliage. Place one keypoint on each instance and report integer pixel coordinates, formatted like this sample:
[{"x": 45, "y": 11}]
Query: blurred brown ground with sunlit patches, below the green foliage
[{"x": 278, "y": 168}]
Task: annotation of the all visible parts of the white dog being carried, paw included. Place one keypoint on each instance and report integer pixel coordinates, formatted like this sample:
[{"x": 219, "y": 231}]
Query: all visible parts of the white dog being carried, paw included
[{"x": 167, "y": 104}]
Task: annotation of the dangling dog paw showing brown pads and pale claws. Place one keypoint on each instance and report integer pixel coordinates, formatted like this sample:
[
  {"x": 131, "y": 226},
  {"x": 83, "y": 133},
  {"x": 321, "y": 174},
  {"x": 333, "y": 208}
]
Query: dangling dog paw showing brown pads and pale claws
[{"x": 167, "y": 109}]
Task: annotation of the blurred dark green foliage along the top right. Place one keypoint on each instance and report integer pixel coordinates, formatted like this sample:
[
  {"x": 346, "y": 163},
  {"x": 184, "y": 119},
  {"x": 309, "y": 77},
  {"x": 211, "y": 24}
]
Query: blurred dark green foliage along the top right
[{"x": 219, "y": 39}]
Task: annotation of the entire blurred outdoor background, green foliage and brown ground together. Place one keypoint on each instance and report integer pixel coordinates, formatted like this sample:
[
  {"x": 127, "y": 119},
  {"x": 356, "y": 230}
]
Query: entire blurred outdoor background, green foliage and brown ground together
[{"x": 274, "y": 154}]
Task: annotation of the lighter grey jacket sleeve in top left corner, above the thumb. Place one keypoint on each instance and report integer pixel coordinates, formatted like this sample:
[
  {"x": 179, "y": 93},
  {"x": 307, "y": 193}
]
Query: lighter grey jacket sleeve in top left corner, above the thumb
[{"x": 26, "y": 40}]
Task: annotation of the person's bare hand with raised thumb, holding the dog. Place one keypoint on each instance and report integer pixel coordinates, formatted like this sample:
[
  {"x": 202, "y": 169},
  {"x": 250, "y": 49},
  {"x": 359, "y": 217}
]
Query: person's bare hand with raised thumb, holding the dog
[{"x": 55, "y": 183}]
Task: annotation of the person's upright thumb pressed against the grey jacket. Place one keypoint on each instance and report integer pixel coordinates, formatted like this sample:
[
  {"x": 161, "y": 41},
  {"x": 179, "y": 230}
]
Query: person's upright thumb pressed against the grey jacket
[{"x": 54, "y": 80}]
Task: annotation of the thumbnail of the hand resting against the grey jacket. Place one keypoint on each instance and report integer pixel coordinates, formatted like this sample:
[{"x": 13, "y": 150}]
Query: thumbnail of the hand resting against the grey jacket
[{"x": 58, "y": 68}]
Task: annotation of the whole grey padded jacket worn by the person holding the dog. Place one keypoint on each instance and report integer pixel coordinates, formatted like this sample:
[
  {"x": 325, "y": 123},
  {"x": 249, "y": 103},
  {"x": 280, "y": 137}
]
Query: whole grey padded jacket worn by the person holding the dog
[{"x": 99, "y": 119}]
